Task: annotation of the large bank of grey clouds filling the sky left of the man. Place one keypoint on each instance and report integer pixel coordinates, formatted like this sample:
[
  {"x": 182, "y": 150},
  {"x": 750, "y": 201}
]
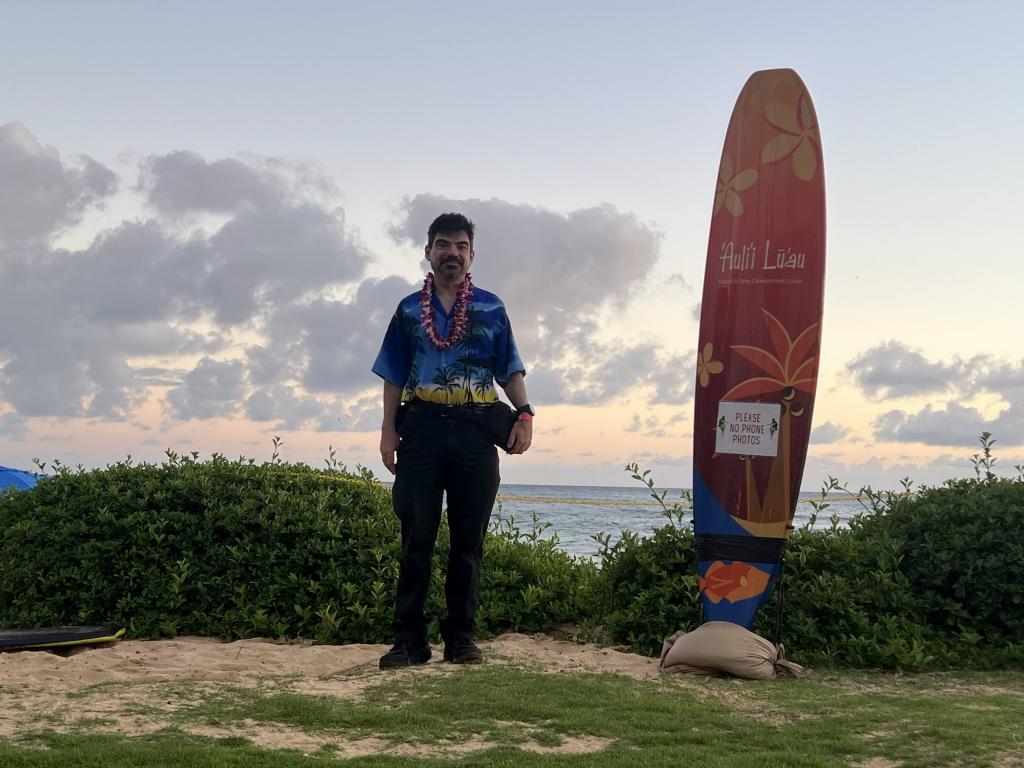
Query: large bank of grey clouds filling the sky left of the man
[{"x": 138, "y": 290}]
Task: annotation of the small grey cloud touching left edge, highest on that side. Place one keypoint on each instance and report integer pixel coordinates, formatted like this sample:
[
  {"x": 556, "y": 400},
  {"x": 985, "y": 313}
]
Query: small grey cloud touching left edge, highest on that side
[{"x": 39, "y": 194}]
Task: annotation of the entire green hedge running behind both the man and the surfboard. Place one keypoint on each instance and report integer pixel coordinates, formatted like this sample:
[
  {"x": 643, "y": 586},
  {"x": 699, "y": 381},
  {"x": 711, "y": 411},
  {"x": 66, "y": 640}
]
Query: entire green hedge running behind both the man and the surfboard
[{"x": 234, "y": 549}]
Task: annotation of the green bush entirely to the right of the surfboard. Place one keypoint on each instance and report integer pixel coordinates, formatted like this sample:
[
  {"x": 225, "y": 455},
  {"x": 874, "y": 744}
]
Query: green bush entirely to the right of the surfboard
[{"x": 926, "y": 581}]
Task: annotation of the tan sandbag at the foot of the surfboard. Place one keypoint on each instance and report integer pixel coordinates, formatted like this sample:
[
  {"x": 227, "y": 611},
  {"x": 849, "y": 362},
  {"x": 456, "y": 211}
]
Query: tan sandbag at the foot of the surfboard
[{"x": 724, "y": 648}]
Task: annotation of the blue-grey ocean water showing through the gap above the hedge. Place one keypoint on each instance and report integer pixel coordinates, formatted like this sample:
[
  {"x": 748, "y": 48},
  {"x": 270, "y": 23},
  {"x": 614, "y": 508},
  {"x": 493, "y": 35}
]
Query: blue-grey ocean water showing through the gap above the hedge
[{"x": 576, "y": 514}]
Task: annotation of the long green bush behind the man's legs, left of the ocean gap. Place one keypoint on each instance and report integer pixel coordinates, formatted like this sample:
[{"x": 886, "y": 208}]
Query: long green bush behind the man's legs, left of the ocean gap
[{"x": 234, "y": 549}]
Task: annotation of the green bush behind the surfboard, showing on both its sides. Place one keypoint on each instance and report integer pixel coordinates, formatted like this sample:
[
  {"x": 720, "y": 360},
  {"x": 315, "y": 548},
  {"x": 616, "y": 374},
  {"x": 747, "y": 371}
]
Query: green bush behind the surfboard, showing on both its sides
[{"x": 919, "y": 582}]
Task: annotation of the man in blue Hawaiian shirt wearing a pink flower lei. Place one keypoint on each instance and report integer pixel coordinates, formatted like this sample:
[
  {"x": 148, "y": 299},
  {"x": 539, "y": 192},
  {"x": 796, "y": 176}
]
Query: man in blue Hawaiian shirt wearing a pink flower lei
[{"x": 446, "y": 349}]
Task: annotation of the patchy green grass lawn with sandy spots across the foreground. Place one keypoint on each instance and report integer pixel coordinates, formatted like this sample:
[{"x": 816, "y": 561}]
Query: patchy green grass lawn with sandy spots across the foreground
[{"x": 499, "y": 715}]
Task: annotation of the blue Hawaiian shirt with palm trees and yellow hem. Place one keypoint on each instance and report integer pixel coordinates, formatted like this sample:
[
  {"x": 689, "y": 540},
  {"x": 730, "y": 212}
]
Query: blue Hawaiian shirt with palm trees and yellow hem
[{"x": 467, "y": 372}]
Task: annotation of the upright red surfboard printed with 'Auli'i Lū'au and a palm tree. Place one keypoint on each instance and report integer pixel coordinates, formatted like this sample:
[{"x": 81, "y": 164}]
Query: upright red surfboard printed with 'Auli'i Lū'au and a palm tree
[{"x": 758, "y": 348}]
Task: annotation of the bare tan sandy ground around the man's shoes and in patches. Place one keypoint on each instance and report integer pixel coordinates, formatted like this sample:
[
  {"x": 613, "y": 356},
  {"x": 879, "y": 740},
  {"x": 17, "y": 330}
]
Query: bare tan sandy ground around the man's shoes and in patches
[{"x": 135, "y": 688}]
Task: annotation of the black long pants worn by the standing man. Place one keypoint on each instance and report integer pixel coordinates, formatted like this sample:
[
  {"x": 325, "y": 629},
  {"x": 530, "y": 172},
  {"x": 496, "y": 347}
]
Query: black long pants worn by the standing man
[{"x": 440, "y": 454}]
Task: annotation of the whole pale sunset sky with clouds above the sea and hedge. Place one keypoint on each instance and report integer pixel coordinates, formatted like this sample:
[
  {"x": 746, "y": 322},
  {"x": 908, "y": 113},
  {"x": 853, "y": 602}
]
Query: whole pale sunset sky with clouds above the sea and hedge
[{"x": 209, "y": 211}]
